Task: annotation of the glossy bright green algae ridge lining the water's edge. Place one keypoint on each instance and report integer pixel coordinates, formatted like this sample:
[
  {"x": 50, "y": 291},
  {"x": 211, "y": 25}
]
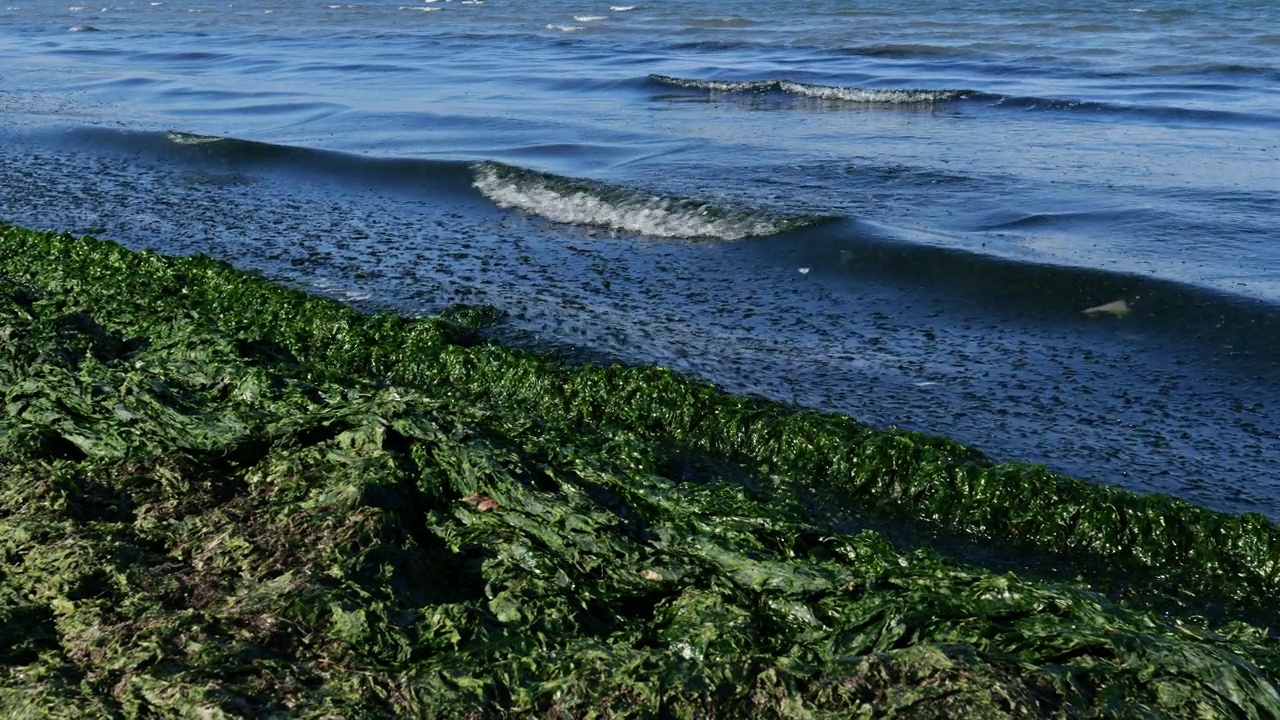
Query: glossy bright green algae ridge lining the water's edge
[{"x": 1183, "y": 550}]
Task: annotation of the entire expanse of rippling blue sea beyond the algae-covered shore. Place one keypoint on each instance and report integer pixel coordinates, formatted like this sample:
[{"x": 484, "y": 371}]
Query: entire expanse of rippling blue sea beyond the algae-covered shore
[{"x": 1044, "y": 229}]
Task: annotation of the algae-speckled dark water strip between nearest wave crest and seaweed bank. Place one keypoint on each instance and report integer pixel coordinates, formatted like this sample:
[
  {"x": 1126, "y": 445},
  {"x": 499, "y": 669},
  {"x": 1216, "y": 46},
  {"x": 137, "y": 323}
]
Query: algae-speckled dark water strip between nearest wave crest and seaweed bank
[{"x": 1127, "y": 402}]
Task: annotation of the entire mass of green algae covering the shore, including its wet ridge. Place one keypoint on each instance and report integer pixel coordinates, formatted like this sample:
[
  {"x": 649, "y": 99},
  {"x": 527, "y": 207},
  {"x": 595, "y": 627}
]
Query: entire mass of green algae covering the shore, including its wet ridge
[{"x": 231, "y": 499}]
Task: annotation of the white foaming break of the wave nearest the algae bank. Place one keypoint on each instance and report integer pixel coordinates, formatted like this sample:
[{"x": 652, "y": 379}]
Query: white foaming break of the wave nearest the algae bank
[{"x": 586, "y": 203}]
